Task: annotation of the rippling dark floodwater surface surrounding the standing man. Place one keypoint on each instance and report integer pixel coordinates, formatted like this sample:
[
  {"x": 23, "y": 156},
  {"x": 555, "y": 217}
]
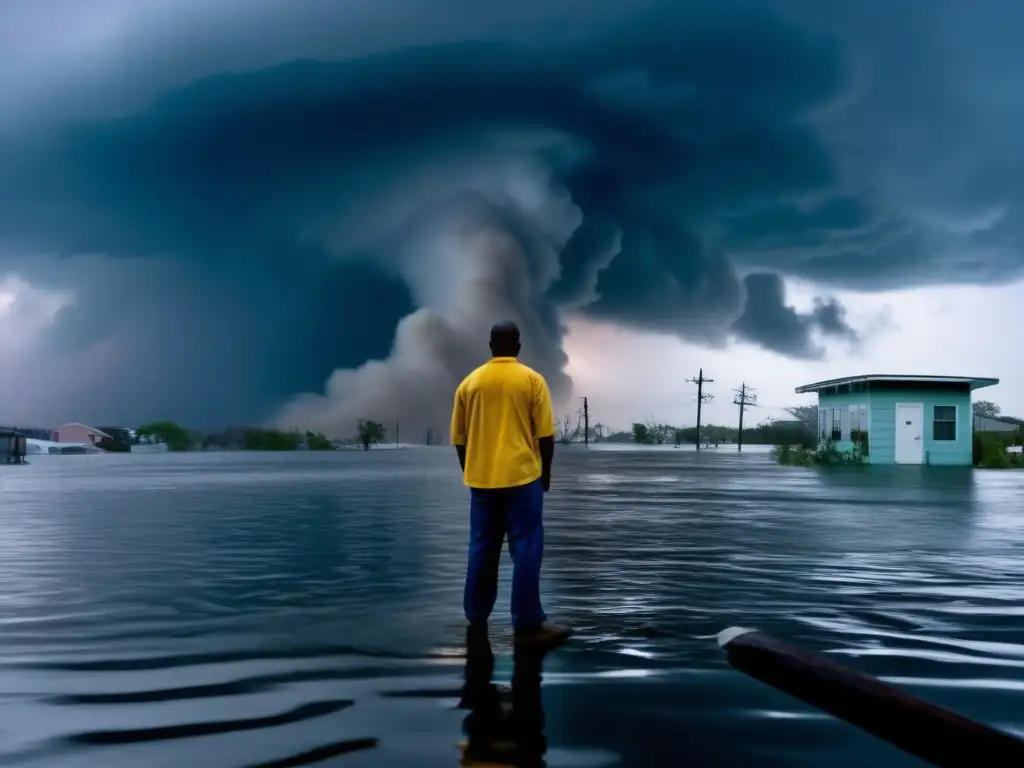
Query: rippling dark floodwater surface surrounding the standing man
[{"x": 234, "y": 610}]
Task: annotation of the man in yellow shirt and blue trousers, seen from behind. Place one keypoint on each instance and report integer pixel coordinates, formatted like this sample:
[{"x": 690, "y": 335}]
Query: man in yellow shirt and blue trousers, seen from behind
[{"x": 503, "y": 429}]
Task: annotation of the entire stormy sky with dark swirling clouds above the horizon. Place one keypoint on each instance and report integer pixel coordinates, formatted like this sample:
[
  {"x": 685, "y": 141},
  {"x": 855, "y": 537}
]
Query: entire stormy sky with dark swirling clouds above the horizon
[{"x": 307, "y": 214}]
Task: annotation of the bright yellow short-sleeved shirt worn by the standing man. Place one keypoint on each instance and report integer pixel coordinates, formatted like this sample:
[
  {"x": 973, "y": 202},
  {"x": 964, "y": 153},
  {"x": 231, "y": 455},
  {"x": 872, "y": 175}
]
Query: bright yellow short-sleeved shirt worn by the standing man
[{"x": 501, "y": 410}]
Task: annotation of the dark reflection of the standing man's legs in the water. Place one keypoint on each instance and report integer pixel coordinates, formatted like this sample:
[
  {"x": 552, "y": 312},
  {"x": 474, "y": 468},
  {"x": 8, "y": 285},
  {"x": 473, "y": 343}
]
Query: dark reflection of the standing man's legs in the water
[{"x": 503, "y": 729}]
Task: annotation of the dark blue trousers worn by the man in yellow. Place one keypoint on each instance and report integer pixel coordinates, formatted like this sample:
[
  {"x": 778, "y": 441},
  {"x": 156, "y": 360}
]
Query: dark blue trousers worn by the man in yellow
[{"x": 493, "y": 514}]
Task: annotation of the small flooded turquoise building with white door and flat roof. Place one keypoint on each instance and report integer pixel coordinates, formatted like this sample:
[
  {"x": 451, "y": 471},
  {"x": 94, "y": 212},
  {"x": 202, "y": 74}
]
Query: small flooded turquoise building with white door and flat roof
[{"x": 904, "y": 419}]
